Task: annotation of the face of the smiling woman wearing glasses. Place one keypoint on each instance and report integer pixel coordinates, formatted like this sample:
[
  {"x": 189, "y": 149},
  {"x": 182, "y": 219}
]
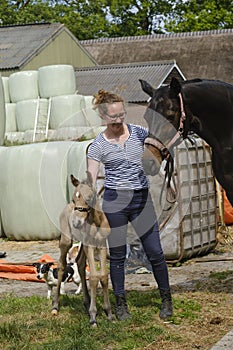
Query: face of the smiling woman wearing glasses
[{"x": 115, "y": 115}]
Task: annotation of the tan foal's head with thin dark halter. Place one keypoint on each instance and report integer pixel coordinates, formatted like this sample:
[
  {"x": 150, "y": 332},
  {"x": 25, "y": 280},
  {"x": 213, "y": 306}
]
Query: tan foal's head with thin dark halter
[{"x": 82, "y": 201}]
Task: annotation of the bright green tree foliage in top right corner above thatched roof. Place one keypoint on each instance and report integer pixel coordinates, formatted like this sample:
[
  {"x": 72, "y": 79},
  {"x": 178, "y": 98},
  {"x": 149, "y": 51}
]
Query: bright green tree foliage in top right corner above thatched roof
[{"x": 198, "y": 15}]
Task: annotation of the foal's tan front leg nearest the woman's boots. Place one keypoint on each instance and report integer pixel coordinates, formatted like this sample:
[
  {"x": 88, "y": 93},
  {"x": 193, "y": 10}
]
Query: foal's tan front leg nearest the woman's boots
[{"x": 104, "y": 282}]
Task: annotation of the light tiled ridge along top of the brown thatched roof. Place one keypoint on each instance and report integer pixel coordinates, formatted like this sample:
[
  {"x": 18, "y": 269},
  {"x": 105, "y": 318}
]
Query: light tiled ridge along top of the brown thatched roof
[{"x": 155, "y": 36}]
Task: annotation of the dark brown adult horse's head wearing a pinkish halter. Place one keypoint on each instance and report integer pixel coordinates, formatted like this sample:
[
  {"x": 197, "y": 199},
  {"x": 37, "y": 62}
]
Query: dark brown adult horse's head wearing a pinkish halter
[{"x": 163, "y": 118}]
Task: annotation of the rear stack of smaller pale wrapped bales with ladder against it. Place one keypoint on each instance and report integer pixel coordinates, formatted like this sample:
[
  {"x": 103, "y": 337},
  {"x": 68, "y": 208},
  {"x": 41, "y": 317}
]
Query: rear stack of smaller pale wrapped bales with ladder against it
[{"x": 50, "y": 92}]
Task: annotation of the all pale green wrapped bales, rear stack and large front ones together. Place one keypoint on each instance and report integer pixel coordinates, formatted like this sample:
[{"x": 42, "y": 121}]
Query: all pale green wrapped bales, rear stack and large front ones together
[{"x": 34, "y": 177}]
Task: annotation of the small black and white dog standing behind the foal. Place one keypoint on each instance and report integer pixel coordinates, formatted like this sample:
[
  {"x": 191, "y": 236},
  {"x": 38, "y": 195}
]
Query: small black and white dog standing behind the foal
[{"x": 50, "y": 275}]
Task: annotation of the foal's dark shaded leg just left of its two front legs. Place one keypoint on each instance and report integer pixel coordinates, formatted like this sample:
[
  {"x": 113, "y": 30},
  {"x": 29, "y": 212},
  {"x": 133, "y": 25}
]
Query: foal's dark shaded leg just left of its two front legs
[{"x": 81, "y": 262}]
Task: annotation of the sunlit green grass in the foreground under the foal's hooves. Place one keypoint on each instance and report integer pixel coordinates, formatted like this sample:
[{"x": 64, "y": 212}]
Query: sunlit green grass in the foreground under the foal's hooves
[{"x": 27, "y": 323}]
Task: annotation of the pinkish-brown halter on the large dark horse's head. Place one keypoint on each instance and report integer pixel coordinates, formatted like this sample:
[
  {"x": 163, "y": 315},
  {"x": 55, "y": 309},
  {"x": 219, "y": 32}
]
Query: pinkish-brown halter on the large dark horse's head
[{"x": 164, "y": 149}]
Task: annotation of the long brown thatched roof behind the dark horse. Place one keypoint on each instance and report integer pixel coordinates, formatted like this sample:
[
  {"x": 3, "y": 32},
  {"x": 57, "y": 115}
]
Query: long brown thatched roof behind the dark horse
[{"x": 203, "y": 54}]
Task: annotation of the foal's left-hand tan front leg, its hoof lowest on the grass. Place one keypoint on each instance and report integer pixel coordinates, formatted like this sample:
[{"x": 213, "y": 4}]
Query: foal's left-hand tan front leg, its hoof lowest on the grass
[{"x": 93, "y": 282}]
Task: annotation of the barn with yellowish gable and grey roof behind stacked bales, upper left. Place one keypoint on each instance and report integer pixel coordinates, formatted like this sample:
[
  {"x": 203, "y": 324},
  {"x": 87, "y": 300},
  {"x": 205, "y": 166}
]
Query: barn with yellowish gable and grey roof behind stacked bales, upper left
[{"x": 28, "y": 47}]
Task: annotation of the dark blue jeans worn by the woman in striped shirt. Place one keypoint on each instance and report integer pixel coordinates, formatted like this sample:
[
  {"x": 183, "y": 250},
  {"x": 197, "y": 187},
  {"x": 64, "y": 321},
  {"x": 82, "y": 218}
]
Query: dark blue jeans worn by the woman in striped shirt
[{"x": 135, "y": 206}]
